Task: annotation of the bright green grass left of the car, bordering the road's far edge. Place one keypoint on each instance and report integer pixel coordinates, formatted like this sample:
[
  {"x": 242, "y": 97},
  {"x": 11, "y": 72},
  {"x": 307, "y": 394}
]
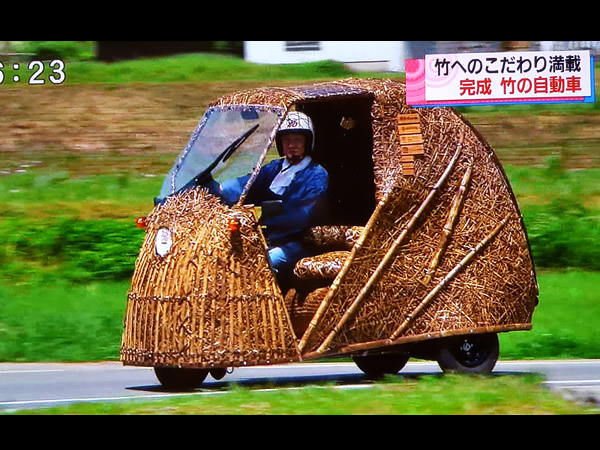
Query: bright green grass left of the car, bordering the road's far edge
[{"x": 53, "y": 320}]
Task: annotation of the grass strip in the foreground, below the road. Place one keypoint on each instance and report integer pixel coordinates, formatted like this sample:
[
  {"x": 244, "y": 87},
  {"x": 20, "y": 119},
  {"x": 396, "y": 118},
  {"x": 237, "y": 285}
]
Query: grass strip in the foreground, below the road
[{"x": 440, "y": 395}]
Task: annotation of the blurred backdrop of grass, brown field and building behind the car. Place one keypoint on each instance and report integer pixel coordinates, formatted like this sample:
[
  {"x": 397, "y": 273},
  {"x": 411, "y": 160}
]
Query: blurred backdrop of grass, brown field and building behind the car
[{"x": 80, "y": 160}]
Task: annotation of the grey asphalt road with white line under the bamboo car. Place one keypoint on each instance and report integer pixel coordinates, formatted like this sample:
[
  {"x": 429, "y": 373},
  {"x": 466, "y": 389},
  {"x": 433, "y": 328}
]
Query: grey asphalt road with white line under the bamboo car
[{"x": 35, "y": 385}]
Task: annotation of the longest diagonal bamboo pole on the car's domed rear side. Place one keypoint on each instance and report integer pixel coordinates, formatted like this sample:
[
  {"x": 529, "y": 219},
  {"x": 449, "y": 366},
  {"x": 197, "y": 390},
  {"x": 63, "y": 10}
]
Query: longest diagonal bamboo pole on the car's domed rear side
[{"x": 391, "y": 254}]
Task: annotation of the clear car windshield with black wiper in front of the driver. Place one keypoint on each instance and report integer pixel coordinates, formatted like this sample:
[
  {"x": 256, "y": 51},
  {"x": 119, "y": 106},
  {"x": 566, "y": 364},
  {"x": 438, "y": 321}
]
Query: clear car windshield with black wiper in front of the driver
[{"x": 228, "y": 142}]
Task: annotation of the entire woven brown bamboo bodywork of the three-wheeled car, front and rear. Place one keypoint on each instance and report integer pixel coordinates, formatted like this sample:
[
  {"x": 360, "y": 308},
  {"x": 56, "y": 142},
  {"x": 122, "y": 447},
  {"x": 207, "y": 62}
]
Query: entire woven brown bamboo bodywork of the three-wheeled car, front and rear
[{"x": 445, "y": 252}]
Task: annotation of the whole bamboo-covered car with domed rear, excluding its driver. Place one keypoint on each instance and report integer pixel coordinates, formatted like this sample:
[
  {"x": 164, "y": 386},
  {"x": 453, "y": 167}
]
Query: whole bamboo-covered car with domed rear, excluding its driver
[{"x": 425, "y": 254}]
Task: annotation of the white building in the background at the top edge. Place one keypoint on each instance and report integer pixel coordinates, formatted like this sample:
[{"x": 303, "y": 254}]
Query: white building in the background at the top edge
[{"x": 373, "y": 56}]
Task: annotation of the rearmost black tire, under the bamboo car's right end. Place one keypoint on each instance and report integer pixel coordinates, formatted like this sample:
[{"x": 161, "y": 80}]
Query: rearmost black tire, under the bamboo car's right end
[{"x": 476, "y": 353}]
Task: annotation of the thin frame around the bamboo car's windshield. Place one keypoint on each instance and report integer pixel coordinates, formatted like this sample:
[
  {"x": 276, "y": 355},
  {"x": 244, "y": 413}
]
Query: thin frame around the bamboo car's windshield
[{"x": 171, "y": 176}]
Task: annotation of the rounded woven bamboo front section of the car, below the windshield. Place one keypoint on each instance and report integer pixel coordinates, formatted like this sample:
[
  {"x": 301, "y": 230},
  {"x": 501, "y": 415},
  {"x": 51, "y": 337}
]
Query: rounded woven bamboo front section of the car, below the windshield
[{"x": 213, "y": 300}]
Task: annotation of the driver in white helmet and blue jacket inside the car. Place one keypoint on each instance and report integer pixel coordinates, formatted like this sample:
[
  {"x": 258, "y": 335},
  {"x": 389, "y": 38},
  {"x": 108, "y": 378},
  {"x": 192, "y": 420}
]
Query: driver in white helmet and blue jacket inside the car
[{"x": 299, "y": 182}]
